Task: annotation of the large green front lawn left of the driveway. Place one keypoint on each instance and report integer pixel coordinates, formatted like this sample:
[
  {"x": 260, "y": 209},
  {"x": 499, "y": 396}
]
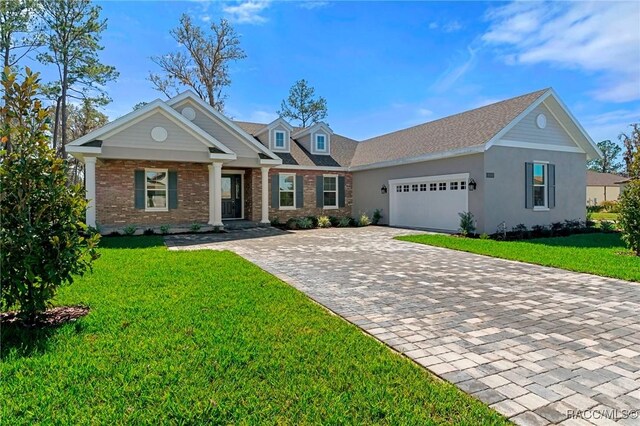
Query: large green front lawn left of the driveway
[{"x": 198, "y": 337}]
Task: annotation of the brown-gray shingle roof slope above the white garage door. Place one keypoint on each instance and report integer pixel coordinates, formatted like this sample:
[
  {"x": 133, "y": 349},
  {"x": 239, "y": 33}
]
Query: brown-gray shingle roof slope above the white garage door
[{"x": 464, "y": 130}]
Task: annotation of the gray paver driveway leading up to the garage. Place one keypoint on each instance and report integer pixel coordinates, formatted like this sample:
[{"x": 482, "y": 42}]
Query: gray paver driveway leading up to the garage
[{"x": 532, "y": 342}]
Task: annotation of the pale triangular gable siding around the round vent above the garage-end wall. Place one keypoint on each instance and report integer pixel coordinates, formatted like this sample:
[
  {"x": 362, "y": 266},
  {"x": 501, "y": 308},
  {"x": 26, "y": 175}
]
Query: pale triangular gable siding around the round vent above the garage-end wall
[{"x": 528, "y": 131}]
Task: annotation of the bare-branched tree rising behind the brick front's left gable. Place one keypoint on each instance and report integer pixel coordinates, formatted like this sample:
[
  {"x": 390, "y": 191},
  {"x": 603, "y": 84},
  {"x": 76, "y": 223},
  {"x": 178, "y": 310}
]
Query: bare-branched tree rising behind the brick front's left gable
[{"x": 204, "y": 67}]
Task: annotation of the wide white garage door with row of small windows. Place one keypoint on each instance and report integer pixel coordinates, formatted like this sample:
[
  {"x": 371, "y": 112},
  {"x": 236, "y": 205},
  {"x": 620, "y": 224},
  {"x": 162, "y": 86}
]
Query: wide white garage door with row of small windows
[{"x": 429, "y": 202}]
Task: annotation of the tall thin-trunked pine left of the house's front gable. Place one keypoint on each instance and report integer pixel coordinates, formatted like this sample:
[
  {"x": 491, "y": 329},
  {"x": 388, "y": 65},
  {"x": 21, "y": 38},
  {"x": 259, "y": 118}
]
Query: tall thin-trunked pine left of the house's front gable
[{"x": 72, "y": 35}]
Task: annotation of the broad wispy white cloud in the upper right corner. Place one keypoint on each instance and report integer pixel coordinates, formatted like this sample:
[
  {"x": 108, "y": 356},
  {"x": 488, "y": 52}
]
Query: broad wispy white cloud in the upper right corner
[{"x": 596, "y": 37}]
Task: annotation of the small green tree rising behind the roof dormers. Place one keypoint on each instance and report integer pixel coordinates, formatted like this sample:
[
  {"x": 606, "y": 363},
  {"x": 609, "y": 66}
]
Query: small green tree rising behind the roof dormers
[{"x": 301, "y": 104}]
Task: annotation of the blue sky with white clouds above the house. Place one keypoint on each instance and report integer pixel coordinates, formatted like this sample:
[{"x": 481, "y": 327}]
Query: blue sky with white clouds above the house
[{"x": 383, "y": 66}]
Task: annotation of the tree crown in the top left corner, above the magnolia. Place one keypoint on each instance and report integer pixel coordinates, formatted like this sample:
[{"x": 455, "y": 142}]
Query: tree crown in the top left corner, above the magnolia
[{"x": 18, "y": 36}]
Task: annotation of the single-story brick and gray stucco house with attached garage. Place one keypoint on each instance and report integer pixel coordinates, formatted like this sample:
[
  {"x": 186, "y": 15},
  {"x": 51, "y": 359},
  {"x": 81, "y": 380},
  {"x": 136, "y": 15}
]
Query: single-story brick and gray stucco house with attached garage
[{"x": 179, "y": 161}]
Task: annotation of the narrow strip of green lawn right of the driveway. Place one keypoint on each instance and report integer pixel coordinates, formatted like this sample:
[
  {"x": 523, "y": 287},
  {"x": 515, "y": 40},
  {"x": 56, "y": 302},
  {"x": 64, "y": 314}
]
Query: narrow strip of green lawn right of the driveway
[{"x": 599, "y": 254}]
